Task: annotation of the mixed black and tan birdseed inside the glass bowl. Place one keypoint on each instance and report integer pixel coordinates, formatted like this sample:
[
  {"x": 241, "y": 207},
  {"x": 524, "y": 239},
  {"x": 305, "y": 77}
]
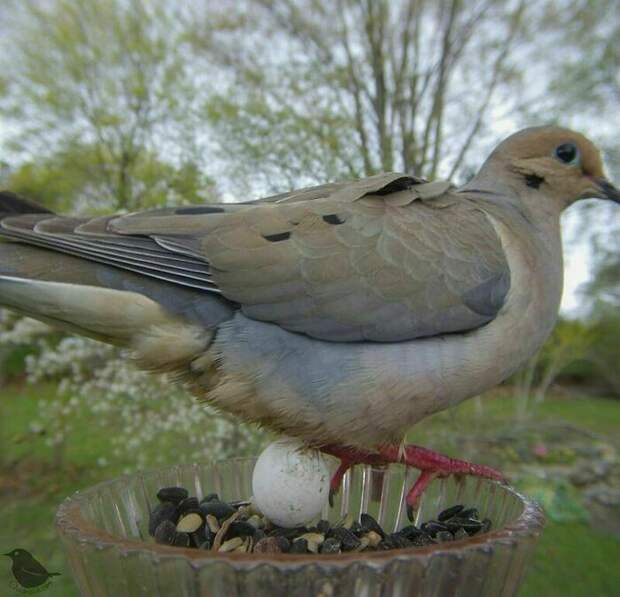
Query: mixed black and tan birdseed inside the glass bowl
[{"x": 214, "y": 525}]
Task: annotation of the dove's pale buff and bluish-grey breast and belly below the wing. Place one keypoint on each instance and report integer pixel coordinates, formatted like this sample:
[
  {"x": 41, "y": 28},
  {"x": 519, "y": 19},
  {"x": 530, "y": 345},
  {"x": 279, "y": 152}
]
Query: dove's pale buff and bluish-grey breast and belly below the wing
[{"x": 364, "y": 393}]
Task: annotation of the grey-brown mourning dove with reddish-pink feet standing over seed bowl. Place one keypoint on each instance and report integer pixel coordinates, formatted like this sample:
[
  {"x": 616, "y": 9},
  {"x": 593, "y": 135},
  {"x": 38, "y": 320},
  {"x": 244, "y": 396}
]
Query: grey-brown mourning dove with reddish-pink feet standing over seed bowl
[{"x": 341, "y": 314}]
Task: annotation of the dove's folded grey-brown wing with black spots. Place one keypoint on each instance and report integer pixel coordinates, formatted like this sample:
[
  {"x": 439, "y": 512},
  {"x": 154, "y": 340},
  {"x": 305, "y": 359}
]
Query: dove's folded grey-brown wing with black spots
[{"x": 385, "y": 259}]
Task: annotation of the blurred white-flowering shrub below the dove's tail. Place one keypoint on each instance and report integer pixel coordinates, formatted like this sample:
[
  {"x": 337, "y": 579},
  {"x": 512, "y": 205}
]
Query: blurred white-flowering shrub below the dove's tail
[{"x": 150, "y": 421}]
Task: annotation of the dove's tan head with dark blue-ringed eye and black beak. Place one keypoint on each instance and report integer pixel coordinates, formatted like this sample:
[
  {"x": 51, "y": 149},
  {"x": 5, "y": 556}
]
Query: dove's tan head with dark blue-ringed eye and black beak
[{"x": 562, "y": 164}]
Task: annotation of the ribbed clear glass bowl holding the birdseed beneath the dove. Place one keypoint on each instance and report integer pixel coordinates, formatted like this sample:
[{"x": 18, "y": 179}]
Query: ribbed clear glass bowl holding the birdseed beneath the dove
[{"x": 104, "y": 532}]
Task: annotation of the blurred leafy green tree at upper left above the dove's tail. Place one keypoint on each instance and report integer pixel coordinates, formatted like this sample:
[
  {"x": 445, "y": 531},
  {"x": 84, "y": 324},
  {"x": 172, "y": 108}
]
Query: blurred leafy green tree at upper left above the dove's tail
[{"x": 109, "y": 79}]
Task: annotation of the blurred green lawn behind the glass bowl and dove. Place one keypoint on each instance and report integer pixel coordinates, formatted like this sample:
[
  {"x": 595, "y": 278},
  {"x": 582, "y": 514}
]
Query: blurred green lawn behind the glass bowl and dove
[{"x": 572, "y": 558}]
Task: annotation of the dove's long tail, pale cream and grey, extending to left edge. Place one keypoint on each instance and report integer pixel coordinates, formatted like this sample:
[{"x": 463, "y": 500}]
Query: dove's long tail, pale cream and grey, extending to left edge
[{"x": 165, "y": 325}]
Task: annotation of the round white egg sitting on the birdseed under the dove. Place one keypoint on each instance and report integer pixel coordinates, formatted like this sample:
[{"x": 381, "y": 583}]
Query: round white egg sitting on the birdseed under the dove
[{"x": 290, "y": 484}]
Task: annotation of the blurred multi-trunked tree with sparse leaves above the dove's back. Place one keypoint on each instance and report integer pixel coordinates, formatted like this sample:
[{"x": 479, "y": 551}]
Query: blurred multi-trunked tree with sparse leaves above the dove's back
[{"x": 322, "y": 90}]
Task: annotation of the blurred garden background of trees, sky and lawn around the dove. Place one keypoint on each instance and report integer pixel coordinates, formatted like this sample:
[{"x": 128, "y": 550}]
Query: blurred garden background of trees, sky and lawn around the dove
[{"x": 119, "y": 105}]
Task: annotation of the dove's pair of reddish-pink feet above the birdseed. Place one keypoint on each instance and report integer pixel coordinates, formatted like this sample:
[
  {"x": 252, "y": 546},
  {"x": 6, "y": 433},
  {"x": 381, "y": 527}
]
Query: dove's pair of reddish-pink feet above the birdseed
[{"x": 430, "y": 464}]
